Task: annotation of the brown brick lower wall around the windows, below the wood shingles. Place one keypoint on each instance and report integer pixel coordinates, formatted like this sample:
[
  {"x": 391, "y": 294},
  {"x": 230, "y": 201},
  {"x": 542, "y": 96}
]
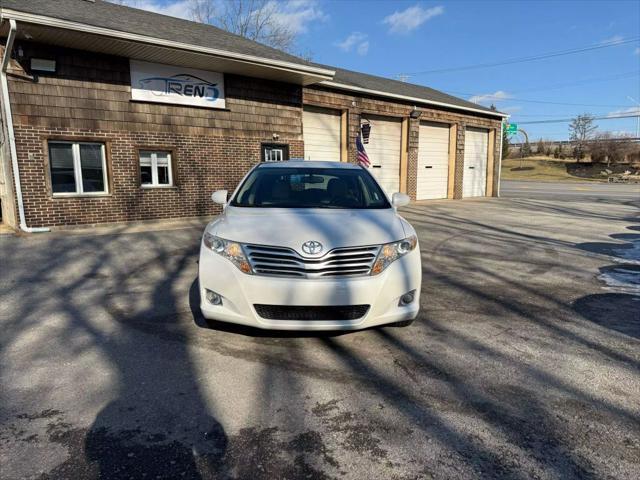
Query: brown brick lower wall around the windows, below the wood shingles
[{"x": 203, "y": 164}]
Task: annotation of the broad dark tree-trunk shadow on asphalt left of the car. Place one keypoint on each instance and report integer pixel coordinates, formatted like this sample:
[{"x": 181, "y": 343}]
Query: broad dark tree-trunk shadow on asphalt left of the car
[{"x": 159, "y": 426}]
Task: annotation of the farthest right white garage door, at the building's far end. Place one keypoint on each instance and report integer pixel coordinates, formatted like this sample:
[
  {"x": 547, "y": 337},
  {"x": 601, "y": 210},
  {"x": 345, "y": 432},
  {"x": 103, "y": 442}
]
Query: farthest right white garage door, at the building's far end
[{"x": 476, "y": 148}]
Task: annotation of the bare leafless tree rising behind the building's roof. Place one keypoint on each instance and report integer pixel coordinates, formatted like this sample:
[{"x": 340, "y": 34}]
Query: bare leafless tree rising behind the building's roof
[{"x": 257, "y": 20}]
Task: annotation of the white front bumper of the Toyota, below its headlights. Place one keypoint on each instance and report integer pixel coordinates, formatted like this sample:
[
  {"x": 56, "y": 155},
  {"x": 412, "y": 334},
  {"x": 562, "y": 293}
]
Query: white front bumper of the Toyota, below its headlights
[{"x": 240, "y": 292}]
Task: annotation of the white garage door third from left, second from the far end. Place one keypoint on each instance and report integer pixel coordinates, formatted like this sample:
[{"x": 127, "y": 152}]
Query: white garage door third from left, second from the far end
[{"x": 433, "y": 161}]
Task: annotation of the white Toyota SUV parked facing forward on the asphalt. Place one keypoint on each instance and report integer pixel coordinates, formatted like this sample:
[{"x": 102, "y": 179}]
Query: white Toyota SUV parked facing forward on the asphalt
[{"x": 307, "y": 245}]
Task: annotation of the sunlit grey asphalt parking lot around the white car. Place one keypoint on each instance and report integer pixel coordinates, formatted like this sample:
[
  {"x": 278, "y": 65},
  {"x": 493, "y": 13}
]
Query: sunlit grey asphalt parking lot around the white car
[{"x": 524, "y": 362}]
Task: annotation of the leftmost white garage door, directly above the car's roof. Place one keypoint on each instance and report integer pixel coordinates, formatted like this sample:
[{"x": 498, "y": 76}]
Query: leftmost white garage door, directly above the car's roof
[{"x": 321, "y": 134}]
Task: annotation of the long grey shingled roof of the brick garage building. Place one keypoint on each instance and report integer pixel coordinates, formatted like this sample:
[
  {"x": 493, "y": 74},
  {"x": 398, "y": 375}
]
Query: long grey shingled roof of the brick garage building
[{"x": 120, "y": 18}]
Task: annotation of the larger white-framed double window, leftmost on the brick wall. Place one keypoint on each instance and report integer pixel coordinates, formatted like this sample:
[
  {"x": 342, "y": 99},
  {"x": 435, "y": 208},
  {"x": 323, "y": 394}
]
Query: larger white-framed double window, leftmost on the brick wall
[{"x": 77, "y": 168}]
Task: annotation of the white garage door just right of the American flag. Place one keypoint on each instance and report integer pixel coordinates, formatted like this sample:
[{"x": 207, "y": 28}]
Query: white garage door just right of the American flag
[{"x": 384, "y": 152}]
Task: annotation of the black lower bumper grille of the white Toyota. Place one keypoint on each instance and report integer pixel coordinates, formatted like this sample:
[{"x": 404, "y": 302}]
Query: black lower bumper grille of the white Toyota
[{"x": 332, "y": 312}]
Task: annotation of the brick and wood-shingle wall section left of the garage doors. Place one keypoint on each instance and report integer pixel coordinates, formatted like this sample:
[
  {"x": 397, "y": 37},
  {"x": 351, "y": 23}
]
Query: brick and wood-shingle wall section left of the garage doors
[{"x": 89, "y": 99}]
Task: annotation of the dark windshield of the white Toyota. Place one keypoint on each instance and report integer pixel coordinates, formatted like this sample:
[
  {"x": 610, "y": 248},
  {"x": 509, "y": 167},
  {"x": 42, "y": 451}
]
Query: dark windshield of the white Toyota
[{"x": 310, "y": 188}]
